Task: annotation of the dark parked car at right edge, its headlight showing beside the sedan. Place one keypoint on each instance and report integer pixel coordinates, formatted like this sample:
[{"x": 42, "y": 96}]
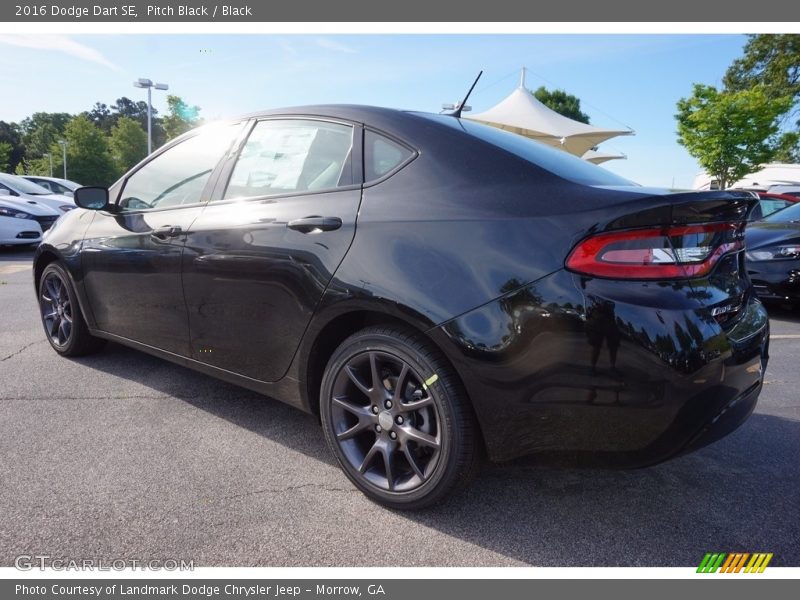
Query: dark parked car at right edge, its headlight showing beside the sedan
[{"x": 773, "y": 255}]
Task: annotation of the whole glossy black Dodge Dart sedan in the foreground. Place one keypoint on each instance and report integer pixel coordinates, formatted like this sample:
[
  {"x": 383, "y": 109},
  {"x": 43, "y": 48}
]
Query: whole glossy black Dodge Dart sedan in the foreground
[{"x": 431, "y": 287}]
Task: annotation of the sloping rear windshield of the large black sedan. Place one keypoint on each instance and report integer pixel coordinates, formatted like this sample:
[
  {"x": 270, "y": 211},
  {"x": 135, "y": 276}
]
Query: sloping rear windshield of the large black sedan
[{"x": 558, "y": 162}]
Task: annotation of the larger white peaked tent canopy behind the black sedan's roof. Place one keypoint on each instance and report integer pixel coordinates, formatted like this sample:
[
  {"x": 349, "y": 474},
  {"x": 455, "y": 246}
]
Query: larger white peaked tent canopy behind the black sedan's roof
[{"x": 522, "y": 113}]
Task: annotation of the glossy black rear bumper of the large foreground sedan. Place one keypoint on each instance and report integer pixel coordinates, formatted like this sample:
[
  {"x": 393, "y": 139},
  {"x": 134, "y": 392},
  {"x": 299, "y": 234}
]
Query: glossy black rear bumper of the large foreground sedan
[{"x": 627, "y": 374}]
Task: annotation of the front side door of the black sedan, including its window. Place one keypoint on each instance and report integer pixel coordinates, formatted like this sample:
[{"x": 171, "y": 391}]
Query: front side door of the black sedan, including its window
[{"x": 131, "y": 255}]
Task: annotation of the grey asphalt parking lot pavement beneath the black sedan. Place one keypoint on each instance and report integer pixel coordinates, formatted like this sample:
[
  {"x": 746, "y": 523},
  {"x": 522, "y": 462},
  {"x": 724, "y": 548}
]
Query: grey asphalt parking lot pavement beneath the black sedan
[{"x": 122, "y": 455}]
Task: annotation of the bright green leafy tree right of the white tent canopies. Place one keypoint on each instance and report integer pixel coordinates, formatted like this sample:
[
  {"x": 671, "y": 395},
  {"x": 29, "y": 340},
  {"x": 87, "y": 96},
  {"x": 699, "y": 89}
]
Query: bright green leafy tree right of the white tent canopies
[{"x": 730, "y": 133}]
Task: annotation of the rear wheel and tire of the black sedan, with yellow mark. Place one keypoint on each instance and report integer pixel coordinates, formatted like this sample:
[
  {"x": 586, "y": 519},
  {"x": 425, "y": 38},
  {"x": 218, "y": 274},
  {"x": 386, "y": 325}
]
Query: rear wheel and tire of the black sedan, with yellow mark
[{"x": 410, "y": 440}]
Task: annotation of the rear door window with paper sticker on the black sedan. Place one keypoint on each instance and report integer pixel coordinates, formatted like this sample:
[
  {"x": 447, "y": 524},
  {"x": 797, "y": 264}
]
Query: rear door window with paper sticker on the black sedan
[{"x": 292, "y": 155}]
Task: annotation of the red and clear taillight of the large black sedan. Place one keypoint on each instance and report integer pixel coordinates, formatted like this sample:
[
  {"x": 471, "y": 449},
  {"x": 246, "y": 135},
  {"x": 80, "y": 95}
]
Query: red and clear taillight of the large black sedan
[{"x": 676, "y": 252}]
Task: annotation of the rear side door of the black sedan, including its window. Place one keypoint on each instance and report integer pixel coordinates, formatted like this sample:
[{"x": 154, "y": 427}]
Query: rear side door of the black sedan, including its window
[{"x": 264, "y": 249}]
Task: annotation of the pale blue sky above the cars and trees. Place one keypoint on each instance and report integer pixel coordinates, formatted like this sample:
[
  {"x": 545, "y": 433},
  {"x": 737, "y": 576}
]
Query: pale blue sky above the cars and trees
[{"x": 630, "y": 80}]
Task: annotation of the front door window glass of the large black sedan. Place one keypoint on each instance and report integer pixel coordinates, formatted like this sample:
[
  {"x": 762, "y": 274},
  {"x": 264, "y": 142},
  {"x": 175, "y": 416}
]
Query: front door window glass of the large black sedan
[{"x": 179, "y": 175}]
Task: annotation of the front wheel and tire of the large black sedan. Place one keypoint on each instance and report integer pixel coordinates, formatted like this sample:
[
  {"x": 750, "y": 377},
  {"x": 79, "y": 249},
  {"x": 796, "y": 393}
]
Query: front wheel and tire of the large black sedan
[{"x": 61, "y": 314}]
